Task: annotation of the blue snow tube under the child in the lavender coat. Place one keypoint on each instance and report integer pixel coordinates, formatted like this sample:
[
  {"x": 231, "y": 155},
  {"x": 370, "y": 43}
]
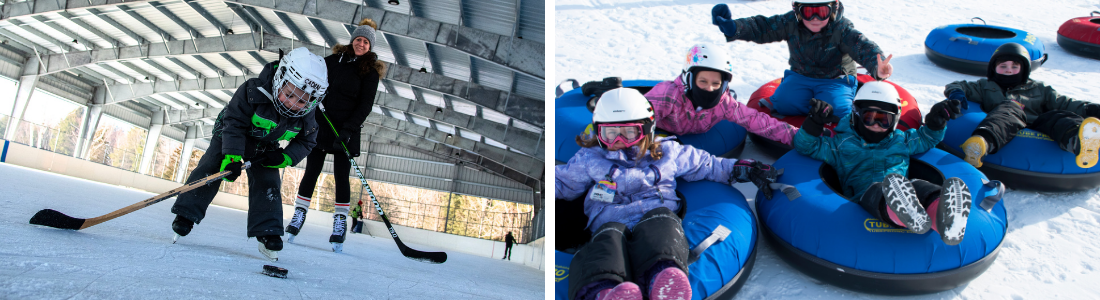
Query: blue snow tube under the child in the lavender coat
[{"x": 723, "y": 268}]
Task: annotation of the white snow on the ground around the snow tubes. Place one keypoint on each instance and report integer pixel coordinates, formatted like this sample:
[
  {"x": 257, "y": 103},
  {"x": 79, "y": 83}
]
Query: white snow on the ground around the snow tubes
[{"x": 1053, "y": 246}]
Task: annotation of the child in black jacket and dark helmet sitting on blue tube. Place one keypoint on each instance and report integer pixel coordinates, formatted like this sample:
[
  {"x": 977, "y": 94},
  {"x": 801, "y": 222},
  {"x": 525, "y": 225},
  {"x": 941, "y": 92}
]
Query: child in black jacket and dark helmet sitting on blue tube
[{"x": 1015, "y": 102}]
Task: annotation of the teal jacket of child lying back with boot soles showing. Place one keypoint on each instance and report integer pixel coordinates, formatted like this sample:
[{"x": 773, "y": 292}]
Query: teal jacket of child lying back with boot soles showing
[{"x": 860, "y": 164}]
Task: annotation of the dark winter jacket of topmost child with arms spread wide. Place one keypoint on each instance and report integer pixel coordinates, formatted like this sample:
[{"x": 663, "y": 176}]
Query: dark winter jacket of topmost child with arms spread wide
[{"x": 827, "y": 54}]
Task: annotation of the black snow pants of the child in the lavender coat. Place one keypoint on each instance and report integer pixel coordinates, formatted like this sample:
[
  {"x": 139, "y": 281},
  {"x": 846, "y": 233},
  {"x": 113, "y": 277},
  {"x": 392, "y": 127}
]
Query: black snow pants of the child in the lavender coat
[{"x": 619, "y": 254}]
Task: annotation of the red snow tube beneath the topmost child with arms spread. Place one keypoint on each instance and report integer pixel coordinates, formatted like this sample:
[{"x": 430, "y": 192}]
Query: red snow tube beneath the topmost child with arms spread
[{"x": 910, "y": 115}]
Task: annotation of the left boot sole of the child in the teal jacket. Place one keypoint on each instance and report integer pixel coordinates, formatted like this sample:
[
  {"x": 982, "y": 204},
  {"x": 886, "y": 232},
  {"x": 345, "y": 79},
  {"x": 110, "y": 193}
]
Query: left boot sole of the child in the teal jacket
[{"x": 901, "y": 201}]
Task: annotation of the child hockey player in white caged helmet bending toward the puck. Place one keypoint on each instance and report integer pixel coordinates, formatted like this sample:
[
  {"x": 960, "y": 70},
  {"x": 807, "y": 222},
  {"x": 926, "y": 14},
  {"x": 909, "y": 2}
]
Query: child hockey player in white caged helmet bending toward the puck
[{"x": 278, "y": 106}]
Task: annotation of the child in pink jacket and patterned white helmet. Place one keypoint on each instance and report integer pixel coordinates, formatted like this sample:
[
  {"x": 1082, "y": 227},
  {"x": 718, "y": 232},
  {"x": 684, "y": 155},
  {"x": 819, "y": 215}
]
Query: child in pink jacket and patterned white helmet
[{"x": 701, "y": 98}]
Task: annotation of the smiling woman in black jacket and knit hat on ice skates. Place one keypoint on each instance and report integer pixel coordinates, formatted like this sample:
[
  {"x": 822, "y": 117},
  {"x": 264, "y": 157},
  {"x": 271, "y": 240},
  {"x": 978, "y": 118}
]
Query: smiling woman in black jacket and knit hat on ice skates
[{"x": 354, "y": 81}]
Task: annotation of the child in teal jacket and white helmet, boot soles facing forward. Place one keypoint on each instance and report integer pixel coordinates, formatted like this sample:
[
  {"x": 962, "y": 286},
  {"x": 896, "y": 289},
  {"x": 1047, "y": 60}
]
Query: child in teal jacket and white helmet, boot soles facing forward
[{"x": 872, "y": 158}]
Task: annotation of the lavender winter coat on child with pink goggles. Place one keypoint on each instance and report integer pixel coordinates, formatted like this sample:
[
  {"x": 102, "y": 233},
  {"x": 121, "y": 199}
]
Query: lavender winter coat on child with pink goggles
[{"x": 643, "y": 185}]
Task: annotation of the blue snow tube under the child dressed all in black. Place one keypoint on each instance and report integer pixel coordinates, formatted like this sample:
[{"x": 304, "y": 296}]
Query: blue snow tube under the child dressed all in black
[{"x": 1031, "y": 162}]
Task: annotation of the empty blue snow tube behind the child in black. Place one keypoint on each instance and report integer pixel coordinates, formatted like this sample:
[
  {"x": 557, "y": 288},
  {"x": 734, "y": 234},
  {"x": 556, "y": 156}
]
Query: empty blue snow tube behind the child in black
[{"x": 966, "y": 49}]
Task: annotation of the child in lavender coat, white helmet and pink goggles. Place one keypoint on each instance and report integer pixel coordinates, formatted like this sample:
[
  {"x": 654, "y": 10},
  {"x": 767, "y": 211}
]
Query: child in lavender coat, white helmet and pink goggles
[{"x": 629, "y": 179}]
